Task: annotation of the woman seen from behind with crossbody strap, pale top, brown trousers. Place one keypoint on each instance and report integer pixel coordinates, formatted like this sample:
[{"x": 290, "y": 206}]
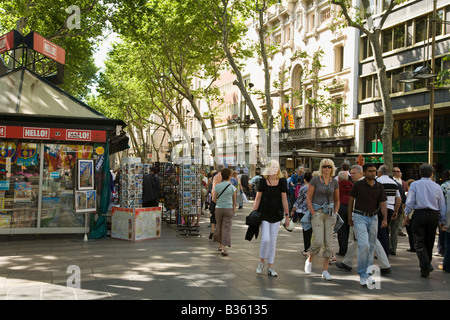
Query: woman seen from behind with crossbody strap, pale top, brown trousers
[{"x": 224, "y": 195}]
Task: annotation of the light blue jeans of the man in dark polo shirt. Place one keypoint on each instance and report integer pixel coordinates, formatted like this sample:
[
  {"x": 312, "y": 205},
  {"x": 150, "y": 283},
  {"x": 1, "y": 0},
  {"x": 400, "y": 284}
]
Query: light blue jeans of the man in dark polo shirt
[{"x": 366, "y": 233}]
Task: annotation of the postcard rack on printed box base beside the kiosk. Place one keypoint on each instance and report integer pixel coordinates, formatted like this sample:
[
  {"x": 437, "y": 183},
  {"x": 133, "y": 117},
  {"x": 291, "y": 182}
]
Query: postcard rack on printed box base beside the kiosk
[{"x": 131, "y": 221}]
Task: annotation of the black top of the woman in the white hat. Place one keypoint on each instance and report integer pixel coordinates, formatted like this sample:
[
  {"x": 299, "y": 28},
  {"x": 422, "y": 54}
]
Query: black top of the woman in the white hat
[{"x": 271, "y": 205}]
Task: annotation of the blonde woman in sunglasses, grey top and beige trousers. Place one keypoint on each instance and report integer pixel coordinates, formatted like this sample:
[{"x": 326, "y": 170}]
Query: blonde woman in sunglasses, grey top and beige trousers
[{"x": 323, "y": 203}]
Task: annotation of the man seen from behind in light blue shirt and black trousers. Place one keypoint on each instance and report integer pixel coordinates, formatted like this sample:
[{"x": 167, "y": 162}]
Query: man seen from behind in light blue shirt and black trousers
[{"x": 426, "y": 198}]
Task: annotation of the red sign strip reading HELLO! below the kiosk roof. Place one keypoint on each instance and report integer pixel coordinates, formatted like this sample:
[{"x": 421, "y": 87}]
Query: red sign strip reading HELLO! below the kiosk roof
[{"x": 61, "y": 134}]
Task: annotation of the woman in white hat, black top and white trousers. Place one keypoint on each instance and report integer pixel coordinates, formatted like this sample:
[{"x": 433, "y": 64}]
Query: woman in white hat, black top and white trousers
[{"x": 271, "y": 201}]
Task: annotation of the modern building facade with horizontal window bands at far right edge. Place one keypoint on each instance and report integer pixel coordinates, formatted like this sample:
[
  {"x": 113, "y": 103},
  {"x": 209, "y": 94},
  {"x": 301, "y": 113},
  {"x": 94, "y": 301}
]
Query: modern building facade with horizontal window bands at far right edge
[{"x": 407, "y": 45}]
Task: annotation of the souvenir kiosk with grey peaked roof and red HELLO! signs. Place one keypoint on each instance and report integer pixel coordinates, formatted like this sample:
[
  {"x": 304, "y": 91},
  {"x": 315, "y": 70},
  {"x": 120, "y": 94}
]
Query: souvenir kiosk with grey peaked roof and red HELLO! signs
[{"x": 54, "y": 149}]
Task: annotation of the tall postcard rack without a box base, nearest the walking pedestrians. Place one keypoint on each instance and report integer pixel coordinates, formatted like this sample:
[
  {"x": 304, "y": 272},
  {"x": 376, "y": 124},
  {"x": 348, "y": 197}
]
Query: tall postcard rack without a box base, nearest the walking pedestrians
[{"x": 190, "y": 199}]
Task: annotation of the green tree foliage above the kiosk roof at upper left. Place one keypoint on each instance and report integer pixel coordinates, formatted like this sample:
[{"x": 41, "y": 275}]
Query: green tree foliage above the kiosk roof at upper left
[{"x": 49, "y": 19}]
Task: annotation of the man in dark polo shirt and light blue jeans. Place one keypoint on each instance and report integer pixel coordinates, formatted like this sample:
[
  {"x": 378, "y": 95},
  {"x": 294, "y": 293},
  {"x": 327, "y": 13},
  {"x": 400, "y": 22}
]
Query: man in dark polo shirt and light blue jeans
[{"x": 369, "y": 198}]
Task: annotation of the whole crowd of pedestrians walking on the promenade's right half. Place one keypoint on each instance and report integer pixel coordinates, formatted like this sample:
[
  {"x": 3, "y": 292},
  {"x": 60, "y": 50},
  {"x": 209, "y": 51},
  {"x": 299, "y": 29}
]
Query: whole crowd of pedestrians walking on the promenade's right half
[{"x": 365, "y": 206}]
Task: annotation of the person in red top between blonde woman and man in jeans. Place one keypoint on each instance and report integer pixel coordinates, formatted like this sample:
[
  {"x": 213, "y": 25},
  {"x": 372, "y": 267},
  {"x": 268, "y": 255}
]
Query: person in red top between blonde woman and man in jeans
[{"x": 344, "y": 195}]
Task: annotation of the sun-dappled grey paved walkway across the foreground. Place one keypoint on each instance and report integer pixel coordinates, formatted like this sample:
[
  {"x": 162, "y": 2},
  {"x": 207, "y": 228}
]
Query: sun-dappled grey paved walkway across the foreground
[{"x": 191, "y": 268}]
